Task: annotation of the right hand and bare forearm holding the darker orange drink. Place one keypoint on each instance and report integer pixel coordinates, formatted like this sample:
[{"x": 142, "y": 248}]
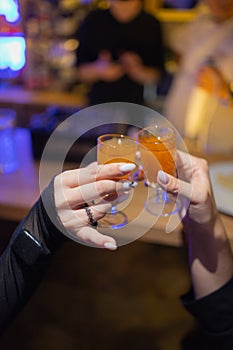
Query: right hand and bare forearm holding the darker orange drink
[{"x": 210, "y": 257}]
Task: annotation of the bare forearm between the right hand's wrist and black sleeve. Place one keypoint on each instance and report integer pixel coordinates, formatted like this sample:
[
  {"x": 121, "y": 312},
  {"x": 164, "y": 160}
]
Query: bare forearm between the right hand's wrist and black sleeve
[{"x": 210, "y": 256}]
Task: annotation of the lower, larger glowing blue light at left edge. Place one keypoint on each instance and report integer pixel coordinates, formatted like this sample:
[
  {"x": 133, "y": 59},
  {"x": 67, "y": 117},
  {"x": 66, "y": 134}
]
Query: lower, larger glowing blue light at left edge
[{"x": 14, "y": 52}]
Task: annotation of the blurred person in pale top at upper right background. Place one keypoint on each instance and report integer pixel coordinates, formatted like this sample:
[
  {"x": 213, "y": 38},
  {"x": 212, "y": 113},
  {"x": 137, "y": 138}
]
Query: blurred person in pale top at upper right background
[{"x": 204, "y": 49}]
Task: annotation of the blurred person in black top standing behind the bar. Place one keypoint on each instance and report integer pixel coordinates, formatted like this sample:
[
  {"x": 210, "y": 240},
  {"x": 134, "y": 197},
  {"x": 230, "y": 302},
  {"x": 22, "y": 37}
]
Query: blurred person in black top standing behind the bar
[{"x": 120, "y": 52}]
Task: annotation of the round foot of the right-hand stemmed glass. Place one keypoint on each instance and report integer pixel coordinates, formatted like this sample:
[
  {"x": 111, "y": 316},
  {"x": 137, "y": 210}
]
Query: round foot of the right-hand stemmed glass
[{"x": 160, "y": 206}]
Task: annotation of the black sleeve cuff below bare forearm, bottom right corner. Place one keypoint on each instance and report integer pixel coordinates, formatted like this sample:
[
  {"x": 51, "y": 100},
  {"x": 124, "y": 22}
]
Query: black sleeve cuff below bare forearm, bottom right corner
[{"x": 214, "y": 313}]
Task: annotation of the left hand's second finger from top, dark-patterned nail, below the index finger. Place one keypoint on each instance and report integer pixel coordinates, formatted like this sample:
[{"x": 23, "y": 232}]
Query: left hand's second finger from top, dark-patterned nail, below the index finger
[{"x": 96, "y": 191}]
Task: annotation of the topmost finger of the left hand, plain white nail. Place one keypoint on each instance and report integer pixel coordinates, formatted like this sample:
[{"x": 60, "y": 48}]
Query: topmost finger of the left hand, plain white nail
[{"x": 94, "y": 172}]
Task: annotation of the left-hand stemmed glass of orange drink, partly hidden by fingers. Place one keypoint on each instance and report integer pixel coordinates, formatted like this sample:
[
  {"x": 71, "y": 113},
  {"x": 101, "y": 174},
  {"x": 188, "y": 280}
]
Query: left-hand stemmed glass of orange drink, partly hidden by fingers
[{"x": 116, "y": 148}]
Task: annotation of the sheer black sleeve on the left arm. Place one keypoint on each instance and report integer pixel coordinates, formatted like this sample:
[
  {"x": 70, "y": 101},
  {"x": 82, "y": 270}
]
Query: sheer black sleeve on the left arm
[{"x": 26, "y": 257}]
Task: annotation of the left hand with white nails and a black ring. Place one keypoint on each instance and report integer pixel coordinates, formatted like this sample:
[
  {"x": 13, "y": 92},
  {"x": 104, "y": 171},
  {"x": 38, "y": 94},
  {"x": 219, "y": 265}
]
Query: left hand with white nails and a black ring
[{"x": 74, "y": 188}]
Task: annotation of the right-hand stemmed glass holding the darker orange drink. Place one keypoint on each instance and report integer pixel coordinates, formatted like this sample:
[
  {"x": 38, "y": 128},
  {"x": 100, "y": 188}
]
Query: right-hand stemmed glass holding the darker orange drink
[{"x": 157, "y": 144}]
